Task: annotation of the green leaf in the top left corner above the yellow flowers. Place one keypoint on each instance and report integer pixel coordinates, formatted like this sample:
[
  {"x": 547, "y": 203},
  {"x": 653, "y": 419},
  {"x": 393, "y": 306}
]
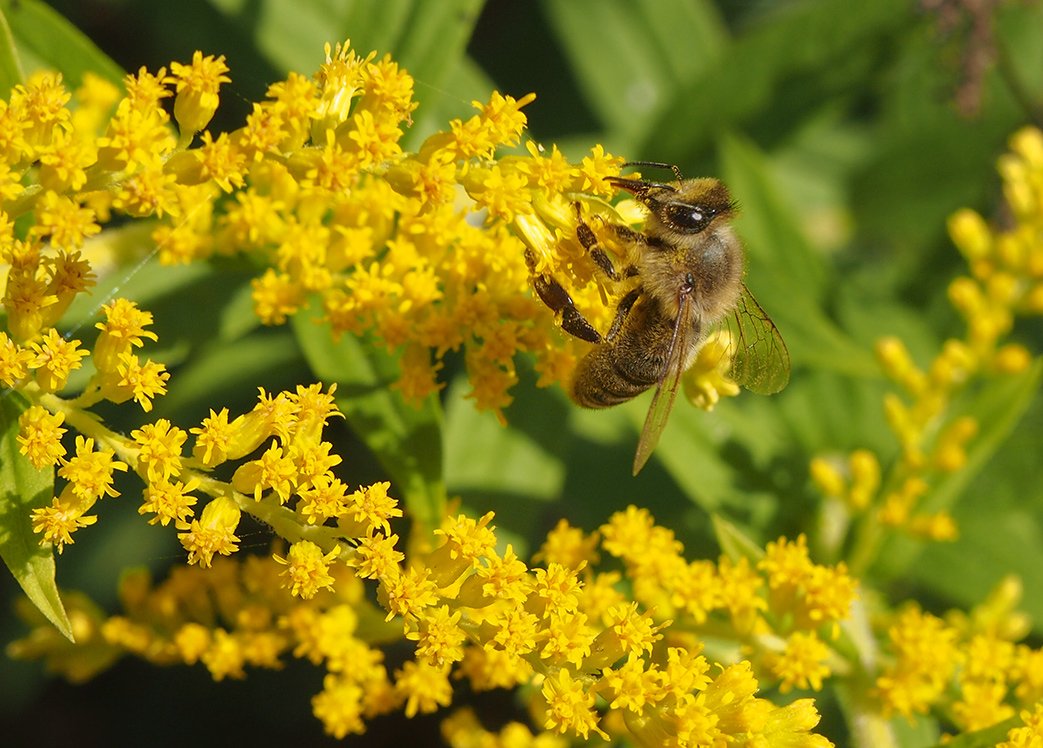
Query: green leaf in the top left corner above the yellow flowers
[{"x": 44, "y": 39}]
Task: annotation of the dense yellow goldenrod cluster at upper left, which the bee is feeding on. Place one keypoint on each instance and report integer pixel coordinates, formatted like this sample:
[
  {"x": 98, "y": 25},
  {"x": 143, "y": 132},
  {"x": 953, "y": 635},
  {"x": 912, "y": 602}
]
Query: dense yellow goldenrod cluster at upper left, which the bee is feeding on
[{"x": 421, "y": 250}]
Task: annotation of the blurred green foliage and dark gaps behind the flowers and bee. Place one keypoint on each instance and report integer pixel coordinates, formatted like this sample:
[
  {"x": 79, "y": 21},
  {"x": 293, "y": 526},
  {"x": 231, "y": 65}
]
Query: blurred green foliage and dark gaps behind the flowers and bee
[{"x": 848, "y": 133}]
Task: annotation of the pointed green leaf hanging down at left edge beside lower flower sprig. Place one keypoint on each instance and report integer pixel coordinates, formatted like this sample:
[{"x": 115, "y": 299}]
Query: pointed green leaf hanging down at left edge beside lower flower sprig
[{"x": 25, "y": 489}]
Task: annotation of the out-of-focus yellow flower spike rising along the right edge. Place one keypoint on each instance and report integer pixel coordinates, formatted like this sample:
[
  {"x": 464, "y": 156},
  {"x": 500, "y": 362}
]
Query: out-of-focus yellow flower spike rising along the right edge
[{"x": 1006, "y": 281}]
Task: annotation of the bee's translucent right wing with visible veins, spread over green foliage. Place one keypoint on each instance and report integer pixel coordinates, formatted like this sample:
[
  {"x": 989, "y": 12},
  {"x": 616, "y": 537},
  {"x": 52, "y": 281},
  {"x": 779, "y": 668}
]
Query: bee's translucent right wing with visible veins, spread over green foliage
[{"x": 761, "y": 360}]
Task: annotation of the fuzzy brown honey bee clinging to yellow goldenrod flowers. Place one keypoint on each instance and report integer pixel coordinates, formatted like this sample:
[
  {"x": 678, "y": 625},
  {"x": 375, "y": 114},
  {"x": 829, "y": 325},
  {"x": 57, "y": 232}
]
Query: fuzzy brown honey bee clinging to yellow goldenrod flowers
[{"x": 689, "y": 266}]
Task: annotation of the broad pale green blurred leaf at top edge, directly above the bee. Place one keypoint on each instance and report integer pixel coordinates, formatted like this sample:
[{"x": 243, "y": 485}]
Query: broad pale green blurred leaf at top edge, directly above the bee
[{"x": 637, "y": 57}]
